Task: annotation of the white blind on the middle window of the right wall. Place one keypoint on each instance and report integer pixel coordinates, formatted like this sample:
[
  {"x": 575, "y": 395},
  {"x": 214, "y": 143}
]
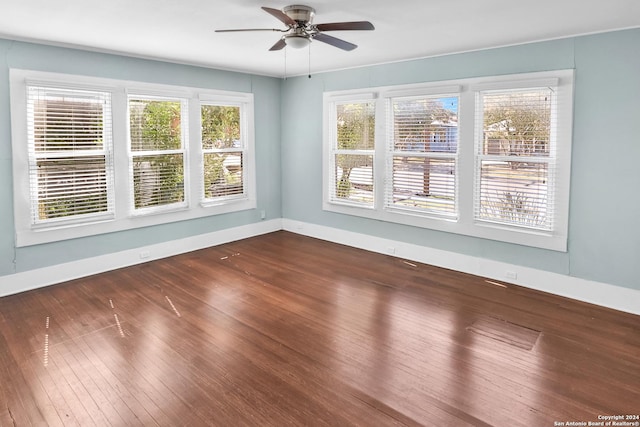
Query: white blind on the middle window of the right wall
[{"x": 422, "y": 154}]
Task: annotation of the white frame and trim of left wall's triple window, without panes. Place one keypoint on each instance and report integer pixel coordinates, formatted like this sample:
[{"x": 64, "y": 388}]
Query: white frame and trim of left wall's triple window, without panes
[{"x": 124, "y": 217}]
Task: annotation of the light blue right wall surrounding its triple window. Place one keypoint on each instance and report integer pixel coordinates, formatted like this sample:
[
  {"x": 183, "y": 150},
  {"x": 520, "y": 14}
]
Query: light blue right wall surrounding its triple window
[{"x": 604, "y": 234}]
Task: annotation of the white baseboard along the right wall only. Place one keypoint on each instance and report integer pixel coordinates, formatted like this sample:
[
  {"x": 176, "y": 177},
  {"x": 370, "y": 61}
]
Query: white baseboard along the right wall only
[{"x": 615, "y": 297}]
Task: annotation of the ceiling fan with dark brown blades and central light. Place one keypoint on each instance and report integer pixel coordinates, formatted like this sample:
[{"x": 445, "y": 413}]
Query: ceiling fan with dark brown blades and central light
[{"x": 301, "y": 31}]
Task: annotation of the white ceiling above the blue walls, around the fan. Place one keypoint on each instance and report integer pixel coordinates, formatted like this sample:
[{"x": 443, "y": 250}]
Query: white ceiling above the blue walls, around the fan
[{"x": 183, "y": 31}]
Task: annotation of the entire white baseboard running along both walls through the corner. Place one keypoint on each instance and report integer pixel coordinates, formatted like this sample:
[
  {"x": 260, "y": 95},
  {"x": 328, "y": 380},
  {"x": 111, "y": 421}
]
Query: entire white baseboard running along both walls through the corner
[{"x": 615, "y": 297}]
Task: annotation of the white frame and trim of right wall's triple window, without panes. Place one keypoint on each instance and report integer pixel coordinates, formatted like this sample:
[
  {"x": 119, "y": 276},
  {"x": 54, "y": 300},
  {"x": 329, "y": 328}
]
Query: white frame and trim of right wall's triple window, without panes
[{"x": 465, "y": 222}]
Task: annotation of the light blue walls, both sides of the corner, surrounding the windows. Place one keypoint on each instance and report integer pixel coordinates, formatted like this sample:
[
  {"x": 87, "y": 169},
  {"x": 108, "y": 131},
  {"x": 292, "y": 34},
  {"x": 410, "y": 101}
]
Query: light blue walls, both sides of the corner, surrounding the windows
[{"x": 604, "y": 230}]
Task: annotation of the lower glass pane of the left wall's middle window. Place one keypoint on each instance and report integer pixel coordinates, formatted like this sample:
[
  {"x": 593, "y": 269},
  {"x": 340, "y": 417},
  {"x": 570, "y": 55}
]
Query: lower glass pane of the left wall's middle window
[{"x": 158, "y": 180}]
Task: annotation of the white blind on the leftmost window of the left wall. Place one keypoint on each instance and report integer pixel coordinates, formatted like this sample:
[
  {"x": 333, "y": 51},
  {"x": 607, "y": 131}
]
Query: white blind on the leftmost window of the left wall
[{"x": 70, "y": 155}]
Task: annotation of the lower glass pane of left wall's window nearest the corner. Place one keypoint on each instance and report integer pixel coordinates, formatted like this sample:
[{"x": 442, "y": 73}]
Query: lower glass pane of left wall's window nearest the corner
[{"x": 223, "y": 174}]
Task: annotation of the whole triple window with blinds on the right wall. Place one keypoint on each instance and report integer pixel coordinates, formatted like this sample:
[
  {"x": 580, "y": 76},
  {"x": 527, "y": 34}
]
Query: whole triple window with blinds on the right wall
[{"x": 486, "y": 157}]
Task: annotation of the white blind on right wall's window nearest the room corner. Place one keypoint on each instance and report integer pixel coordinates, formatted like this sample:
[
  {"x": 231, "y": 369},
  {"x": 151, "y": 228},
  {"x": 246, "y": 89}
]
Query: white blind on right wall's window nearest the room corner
[{"x": 352, "y": 153}]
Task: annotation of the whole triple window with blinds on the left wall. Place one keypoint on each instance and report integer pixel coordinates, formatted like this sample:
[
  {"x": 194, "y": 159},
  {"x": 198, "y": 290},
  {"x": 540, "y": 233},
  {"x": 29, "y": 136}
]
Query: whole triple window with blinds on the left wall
[{"x": 94, "y": 155}]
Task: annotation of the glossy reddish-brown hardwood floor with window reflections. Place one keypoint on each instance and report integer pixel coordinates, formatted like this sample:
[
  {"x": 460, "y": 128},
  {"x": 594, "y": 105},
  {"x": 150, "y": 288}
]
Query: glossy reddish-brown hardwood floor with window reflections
[{"x": 283, "y": 329}]
